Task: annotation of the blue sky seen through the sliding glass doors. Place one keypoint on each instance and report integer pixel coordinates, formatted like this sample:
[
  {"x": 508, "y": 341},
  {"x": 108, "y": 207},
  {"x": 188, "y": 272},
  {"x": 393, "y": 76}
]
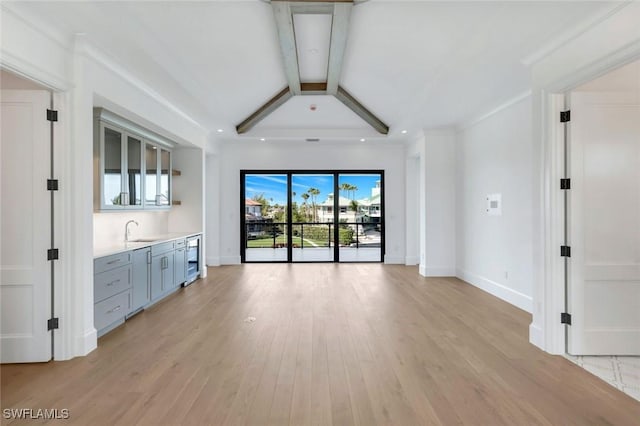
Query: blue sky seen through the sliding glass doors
[{"x": 274, "y": 186}]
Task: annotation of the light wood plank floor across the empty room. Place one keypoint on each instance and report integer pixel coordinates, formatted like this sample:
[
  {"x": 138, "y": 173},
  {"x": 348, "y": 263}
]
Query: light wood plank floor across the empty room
[{"x": 331, "y": 344}]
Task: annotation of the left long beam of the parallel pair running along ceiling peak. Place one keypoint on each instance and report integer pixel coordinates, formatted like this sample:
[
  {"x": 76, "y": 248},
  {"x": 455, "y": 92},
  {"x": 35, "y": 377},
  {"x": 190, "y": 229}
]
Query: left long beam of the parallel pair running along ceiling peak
[{"x": 287, "y": 38}]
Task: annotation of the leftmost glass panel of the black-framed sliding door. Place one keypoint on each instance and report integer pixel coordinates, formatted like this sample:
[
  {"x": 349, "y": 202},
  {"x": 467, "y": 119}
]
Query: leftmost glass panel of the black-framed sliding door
[{"x": 266, "y": 229}]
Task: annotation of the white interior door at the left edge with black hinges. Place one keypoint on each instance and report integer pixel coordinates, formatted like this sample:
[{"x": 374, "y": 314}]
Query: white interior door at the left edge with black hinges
[{"x": 25, "y": 216}]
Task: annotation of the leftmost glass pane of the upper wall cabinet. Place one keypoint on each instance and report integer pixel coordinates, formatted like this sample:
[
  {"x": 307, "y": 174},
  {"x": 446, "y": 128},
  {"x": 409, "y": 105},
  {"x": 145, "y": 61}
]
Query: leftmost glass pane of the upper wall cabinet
[{"x": 112, "y": 187}]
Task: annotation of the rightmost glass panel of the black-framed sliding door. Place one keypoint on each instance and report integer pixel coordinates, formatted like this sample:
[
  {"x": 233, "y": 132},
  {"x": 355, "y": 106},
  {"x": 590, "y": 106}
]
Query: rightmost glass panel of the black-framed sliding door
[{"x": 361, "y": 222}]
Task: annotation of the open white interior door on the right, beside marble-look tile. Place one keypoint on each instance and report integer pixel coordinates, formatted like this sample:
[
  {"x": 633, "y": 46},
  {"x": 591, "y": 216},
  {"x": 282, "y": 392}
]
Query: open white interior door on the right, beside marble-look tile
[{"x": 604, "y": 224}]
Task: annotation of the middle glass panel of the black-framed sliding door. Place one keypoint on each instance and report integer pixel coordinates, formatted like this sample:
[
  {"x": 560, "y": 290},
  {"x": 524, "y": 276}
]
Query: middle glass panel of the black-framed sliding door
[{"x": 313, "y": 219}]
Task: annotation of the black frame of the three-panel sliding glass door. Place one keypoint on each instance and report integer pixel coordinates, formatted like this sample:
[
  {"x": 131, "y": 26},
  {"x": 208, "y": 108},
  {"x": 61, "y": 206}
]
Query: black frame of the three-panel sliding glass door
[{"x": 336, "y": 209}]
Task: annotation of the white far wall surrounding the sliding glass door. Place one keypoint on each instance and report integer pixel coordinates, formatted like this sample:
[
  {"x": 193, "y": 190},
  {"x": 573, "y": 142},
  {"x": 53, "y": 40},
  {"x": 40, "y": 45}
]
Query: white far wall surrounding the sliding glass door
[{"x": 301, "y": 156}]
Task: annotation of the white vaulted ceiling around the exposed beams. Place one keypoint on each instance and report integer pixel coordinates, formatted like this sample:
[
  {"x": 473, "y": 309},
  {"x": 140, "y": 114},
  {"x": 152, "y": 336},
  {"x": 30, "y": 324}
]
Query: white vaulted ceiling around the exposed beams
[{"x": 417, "y": 64}]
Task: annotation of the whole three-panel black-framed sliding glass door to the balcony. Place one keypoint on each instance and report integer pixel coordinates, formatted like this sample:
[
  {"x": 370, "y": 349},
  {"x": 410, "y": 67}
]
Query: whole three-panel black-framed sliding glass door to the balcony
[{"x": 312, "y": 216}]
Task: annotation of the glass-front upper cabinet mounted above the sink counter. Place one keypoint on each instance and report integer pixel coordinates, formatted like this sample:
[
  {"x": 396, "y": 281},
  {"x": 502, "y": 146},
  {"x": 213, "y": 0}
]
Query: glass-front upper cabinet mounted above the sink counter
[{"x": 132, "y": 166}]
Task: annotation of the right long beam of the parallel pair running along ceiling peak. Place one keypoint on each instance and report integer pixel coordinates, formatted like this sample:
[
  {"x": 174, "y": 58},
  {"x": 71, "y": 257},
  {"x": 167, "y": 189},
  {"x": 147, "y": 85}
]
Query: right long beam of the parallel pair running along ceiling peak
[{"x": 339, "y": 32}]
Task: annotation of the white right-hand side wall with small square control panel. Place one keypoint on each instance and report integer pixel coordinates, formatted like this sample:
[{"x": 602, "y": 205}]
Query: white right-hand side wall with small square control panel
[{"x": 494, "y": 156}]
